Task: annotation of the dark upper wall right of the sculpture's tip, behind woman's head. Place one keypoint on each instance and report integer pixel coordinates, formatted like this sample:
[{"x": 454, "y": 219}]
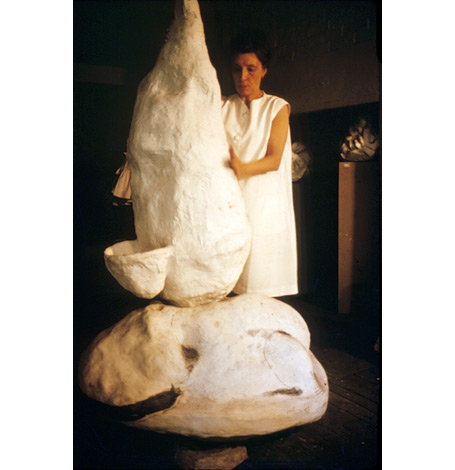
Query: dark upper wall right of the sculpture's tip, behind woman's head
[{"x": 324, "y": 53}]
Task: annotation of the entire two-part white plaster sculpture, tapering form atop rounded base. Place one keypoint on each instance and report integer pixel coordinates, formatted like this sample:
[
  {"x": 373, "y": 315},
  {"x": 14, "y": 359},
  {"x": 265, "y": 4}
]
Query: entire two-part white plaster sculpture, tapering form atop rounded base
[{"x": 203, "y": 367}]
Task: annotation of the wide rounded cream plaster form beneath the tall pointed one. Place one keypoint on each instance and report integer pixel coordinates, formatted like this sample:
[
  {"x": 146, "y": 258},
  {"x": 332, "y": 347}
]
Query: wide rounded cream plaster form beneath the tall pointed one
[{"x": 233, "y": 368}]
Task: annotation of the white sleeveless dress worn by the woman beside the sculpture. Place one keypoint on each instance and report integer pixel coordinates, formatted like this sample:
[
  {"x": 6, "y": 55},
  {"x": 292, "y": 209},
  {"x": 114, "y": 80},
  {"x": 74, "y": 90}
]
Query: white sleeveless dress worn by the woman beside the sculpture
[{"x": 271, "y": 268}]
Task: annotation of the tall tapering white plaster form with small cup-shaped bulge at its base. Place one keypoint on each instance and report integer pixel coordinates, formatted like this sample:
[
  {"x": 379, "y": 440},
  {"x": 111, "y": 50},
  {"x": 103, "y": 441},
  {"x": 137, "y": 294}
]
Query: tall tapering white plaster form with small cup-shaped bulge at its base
[{"x": 185, "y": 196}]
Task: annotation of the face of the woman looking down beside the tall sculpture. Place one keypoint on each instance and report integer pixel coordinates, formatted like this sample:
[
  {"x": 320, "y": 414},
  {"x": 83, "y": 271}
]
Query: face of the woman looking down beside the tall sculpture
[{"x": 247, "y": 72}]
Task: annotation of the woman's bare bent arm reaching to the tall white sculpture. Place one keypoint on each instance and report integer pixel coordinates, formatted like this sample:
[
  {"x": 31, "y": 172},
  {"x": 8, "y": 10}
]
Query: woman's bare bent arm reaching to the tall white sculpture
[{"x": 275, "y": 147}]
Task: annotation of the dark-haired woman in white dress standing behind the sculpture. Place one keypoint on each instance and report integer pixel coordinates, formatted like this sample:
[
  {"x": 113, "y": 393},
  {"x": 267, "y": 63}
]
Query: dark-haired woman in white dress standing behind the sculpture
[{"x": 257, "y": 129}]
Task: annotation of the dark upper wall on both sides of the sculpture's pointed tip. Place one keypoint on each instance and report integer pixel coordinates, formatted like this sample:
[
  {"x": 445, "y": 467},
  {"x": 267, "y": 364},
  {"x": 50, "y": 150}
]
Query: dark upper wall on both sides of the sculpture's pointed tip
[{"x": 324, "y": 53}]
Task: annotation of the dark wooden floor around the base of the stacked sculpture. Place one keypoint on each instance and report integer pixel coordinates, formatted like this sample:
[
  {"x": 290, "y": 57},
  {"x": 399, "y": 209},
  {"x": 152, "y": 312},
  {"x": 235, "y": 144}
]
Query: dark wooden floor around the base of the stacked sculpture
[{"x": 345, "y": 438}]
